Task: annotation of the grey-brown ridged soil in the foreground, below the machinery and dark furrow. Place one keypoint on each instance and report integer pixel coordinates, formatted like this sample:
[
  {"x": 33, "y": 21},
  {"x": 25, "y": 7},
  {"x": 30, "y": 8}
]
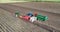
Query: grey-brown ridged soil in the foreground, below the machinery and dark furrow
[{"x": 9, "y": 23}]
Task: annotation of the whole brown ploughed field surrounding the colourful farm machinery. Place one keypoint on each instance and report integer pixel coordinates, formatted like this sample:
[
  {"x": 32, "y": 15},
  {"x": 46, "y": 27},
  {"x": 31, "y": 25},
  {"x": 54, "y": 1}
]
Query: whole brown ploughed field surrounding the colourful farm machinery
[{"x": 10, "y": 23}]
